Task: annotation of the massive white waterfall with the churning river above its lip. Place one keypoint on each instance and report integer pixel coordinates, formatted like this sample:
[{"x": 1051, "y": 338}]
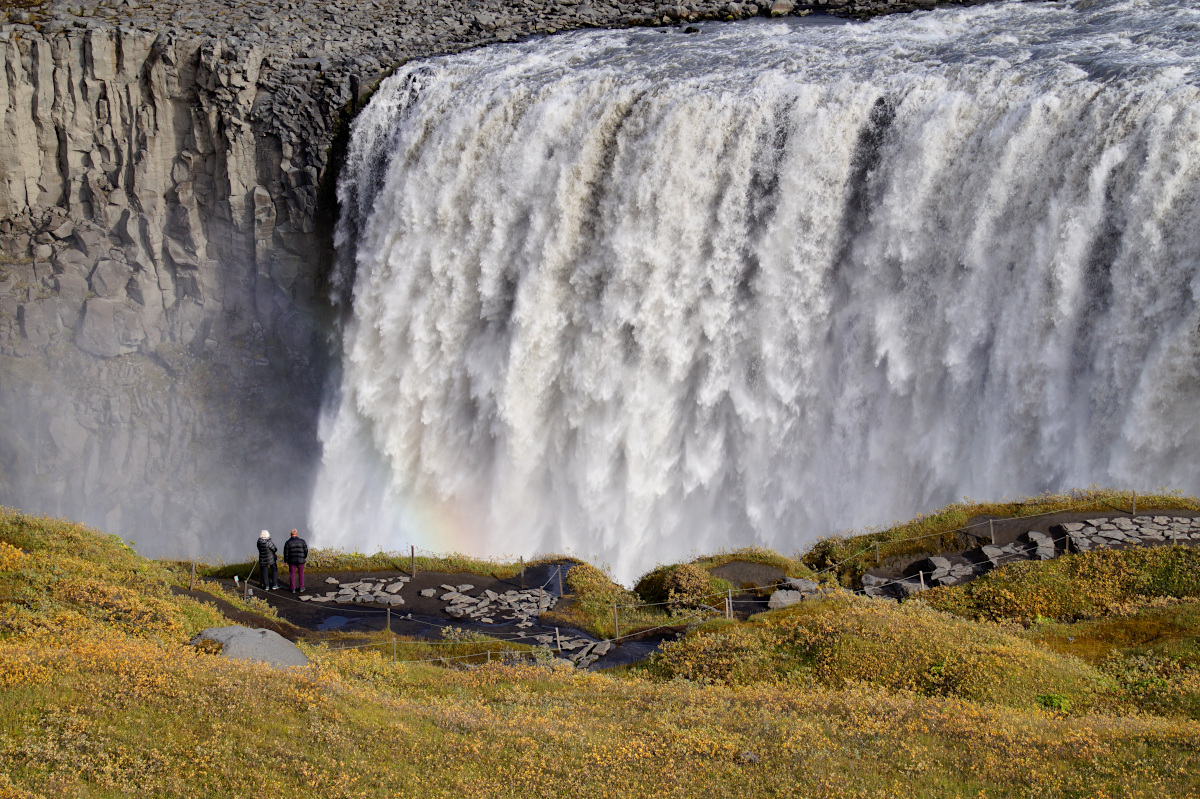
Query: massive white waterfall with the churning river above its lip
[{"x": 637, "y": 295}]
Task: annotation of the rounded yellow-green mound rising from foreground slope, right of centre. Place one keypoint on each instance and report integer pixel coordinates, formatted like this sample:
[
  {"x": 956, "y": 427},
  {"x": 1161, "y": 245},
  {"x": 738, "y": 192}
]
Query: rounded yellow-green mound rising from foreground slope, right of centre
[{"x": 845, "y": 640}]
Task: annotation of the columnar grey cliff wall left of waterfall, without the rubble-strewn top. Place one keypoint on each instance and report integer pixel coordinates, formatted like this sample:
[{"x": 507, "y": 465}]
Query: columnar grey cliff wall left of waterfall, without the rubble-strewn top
[{"x": 159, "y": 267}]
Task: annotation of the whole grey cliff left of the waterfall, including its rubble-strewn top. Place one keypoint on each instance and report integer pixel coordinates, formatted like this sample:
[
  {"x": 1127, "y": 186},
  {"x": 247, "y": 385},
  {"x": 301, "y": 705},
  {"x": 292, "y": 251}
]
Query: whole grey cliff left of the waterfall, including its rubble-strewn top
[{"x": 165, "y": 218}]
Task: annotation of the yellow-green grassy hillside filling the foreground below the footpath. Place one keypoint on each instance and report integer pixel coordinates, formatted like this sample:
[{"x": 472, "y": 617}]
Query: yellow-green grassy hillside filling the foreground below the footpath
[{"x": 101, "y": 696}]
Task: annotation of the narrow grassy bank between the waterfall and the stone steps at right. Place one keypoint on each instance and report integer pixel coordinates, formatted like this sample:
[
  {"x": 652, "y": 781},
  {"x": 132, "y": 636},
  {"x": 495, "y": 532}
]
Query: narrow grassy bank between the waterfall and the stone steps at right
[{"x": 850, "y": 556}]
